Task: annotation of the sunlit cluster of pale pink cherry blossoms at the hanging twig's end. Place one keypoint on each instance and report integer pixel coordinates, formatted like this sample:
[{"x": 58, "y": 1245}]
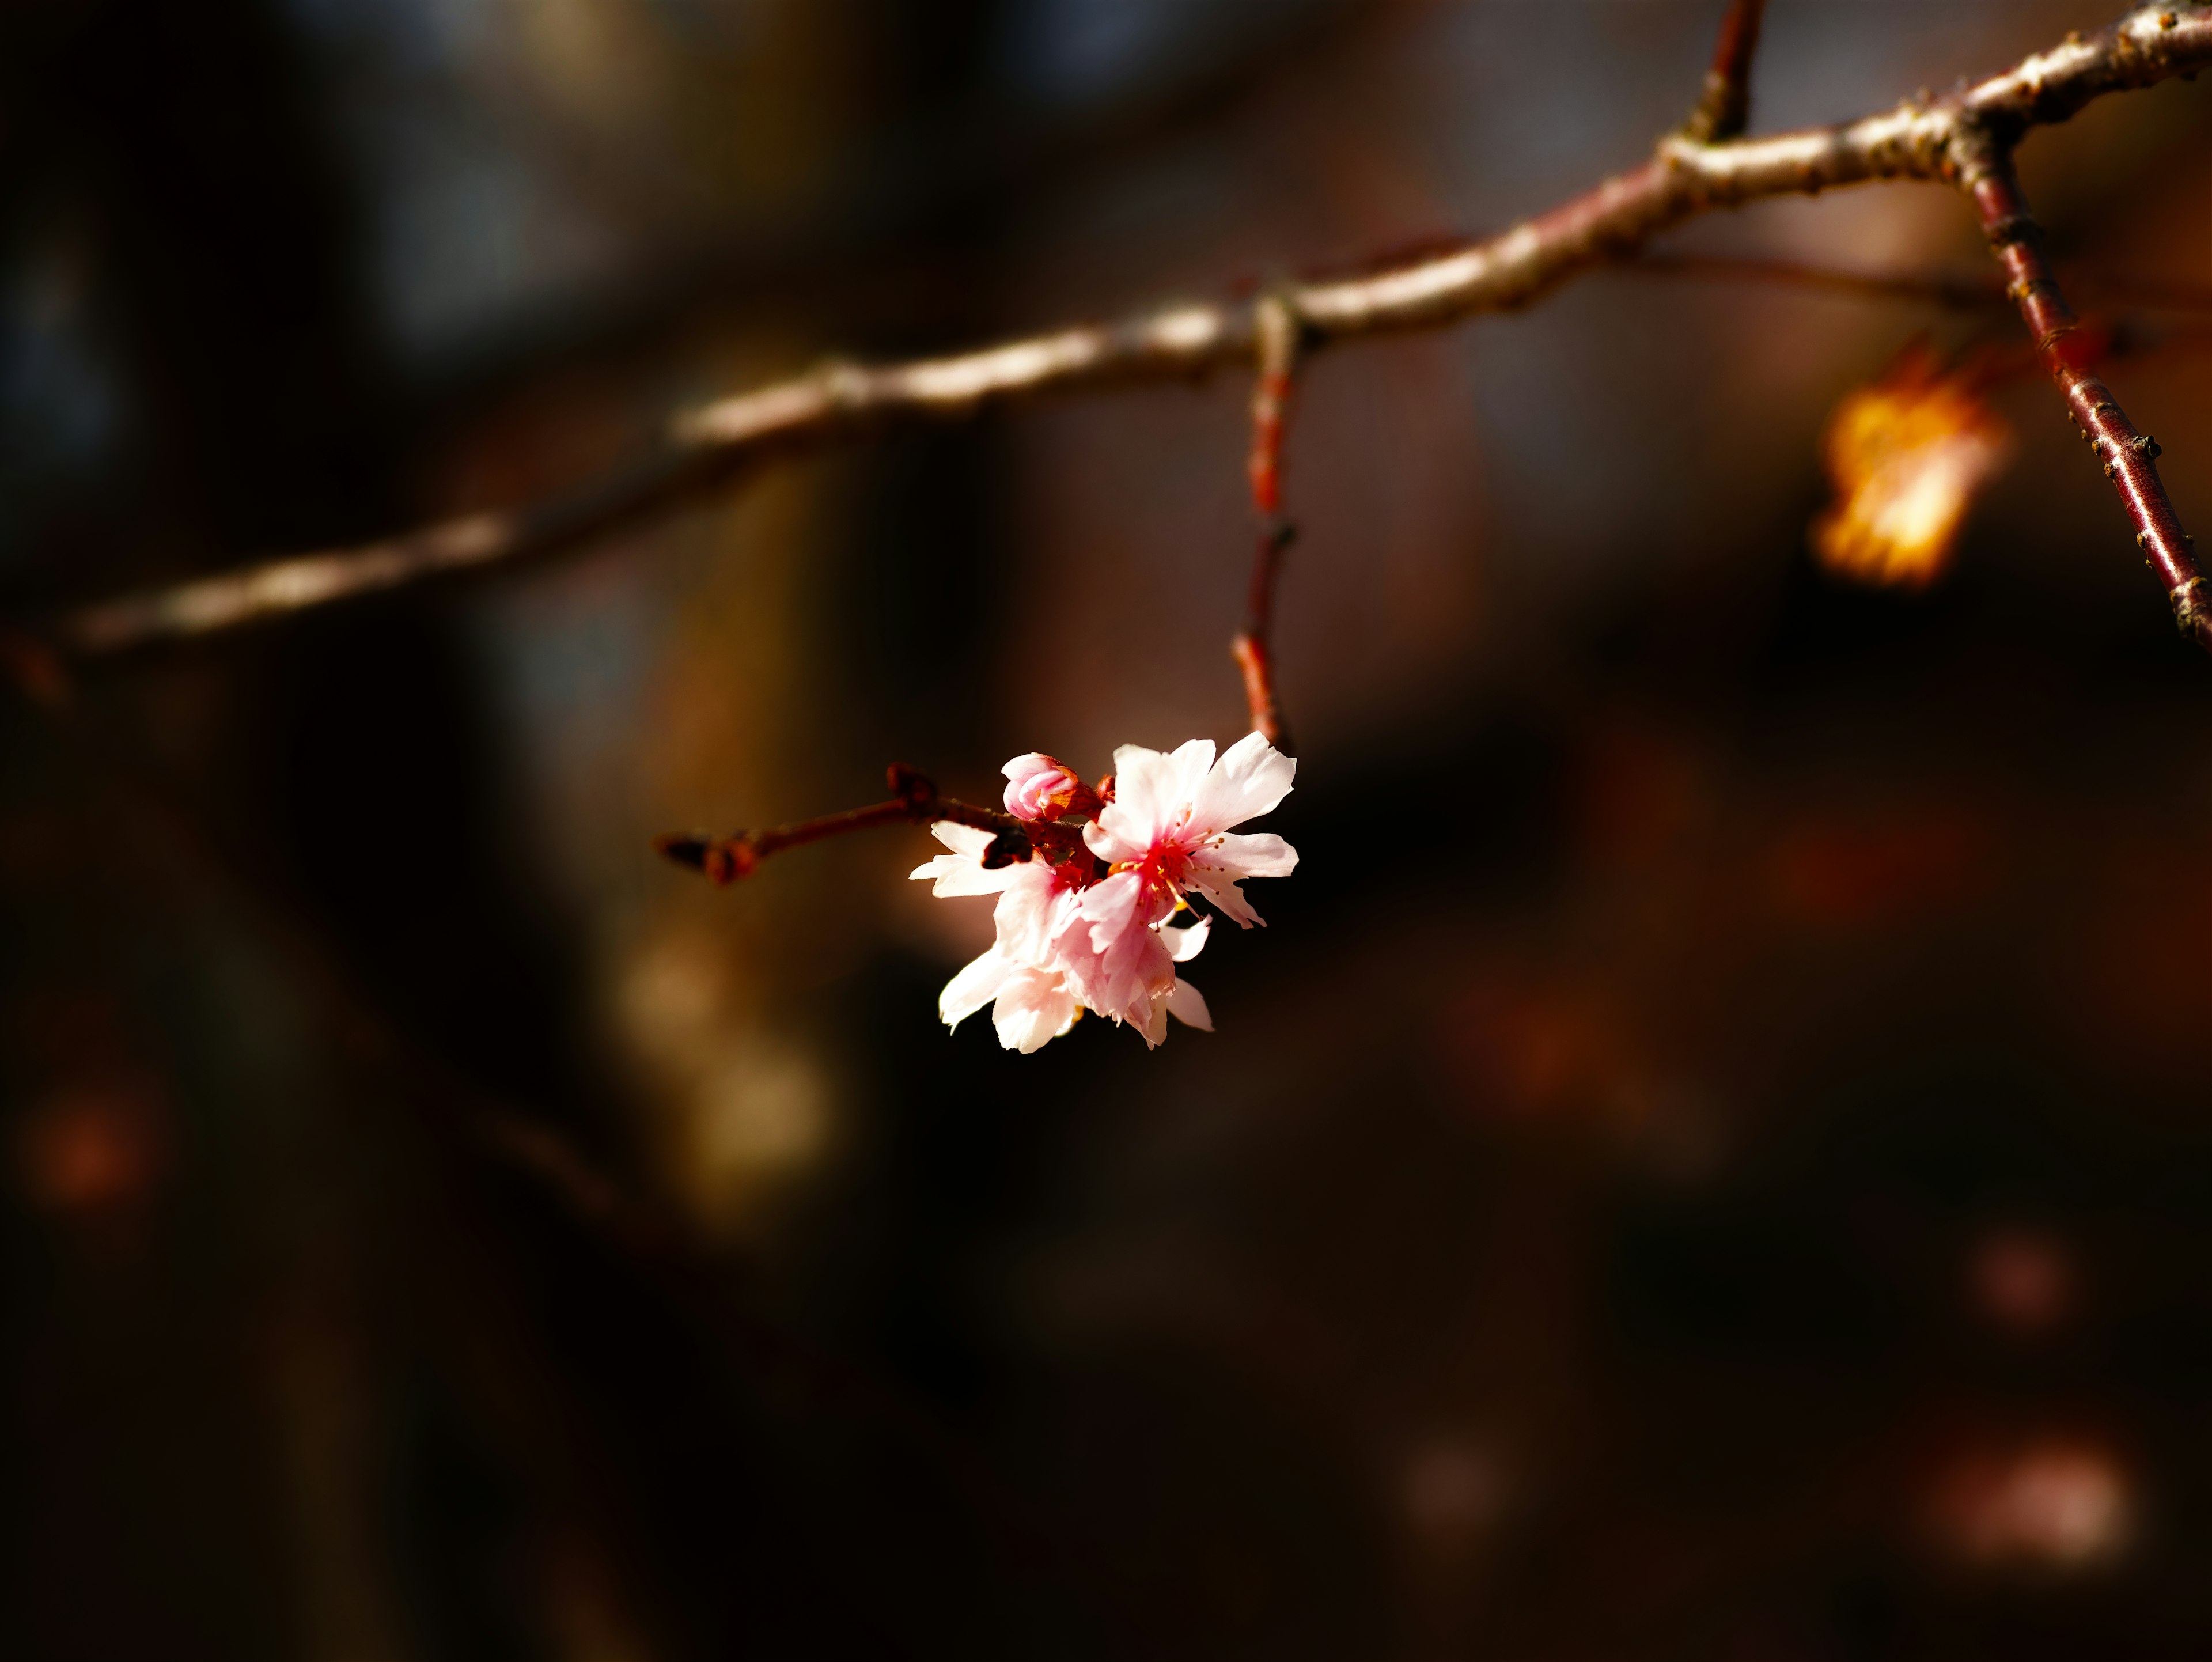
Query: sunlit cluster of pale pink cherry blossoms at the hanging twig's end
[{"x": 1094, "y": 931}]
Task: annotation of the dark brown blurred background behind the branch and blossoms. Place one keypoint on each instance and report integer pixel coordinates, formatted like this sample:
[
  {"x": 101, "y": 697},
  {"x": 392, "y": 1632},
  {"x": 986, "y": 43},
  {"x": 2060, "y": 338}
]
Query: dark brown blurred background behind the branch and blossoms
[{"x": 1713, "y": 1156}]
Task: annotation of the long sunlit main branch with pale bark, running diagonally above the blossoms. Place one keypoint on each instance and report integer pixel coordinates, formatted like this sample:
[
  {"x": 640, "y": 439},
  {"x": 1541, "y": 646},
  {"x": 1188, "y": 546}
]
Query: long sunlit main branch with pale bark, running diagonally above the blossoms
[{"x": 1948, "y": 138}]
